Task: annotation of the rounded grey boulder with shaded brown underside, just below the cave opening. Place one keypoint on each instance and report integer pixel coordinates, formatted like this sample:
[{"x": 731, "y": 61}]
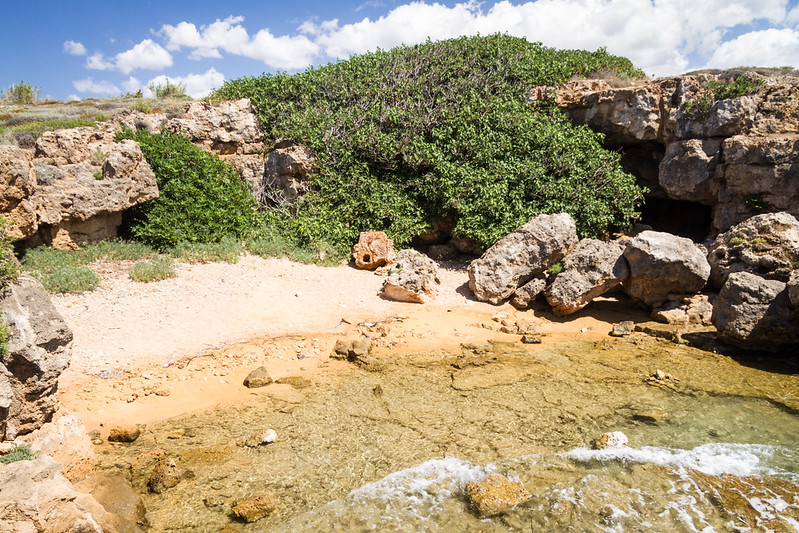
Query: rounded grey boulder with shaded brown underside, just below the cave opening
[{"x": 663, "y": 264}]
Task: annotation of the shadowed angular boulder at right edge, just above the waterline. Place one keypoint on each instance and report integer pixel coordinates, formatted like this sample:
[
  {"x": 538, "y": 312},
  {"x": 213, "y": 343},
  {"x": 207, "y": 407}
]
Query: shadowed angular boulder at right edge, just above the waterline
[{"x": 755, "y": 313}]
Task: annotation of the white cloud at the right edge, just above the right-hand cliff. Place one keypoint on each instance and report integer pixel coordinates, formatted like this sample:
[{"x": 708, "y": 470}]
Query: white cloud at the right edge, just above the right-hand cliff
[{"x": 766, "y": 48}]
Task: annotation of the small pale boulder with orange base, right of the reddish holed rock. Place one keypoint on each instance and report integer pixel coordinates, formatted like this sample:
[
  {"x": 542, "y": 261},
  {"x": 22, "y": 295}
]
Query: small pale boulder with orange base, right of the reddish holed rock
[{"x": 413, "y": 278}]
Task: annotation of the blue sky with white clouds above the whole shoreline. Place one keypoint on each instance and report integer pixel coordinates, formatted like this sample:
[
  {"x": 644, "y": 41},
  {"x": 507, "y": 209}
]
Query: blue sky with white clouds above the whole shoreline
[{"x": 90, "y": 48}]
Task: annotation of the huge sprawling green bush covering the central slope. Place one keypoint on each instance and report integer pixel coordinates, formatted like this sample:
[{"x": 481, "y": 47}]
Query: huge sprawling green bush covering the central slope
[{"x": 442, "y": 129}]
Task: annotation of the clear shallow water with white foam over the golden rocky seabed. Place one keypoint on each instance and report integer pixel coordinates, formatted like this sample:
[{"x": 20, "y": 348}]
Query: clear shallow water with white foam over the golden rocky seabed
[{"x": 391, "y": 446}]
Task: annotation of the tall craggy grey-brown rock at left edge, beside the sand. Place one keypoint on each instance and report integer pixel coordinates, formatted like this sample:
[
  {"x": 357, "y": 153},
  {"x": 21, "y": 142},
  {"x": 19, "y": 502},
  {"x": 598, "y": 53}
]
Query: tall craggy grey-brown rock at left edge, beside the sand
[{"x": 38, "y": 351}]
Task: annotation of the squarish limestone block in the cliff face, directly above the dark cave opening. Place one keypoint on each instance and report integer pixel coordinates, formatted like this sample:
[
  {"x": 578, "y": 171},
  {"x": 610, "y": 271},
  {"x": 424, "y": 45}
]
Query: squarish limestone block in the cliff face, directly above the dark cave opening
[{"x": 687, "y": 170}]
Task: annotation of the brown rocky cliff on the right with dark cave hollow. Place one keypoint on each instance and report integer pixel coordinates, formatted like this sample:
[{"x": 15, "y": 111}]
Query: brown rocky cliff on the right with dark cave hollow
[{"x": 708, "y": 161}]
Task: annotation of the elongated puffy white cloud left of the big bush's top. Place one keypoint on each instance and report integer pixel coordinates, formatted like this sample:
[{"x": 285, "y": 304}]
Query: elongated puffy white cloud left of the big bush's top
[{"x": 228, "y": 35}]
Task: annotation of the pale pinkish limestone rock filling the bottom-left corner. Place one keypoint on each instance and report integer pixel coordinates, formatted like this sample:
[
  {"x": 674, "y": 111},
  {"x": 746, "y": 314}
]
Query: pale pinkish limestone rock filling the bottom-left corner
[{"x": 36, "y": 497}]
